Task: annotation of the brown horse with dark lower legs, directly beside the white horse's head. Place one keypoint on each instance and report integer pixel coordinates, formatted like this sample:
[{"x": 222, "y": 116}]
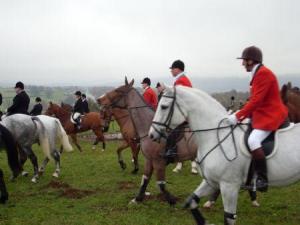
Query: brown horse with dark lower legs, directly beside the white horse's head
[{"x": 138, "y": 117}]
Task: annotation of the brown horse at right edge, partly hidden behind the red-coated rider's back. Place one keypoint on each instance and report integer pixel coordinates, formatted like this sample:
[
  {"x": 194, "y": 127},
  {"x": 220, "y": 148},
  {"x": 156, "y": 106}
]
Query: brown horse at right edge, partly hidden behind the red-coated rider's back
[{"x": 291, "y": 98}]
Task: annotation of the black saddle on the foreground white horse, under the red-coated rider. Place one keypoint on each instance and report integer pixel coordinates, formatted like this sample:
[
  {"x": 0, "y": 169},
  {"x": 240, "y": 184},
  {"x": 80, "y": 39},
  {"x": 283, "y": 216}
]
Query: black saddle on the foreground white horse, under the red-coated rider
[{"x": 269, "y": 143}]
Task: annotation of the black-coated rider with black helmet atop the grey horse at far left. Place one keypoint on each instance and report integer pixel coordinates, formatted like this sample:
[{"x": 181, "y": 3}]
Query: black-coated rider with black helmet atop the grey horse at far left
[{"x": 20, "y": 102}]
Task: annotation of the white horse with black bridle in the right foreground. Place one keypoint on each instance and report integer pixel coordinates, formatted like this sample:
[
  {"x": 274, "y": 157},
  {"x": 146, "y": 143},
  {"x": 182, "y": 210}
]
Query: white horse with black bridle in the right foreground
[{"x": 222, "y": 165}]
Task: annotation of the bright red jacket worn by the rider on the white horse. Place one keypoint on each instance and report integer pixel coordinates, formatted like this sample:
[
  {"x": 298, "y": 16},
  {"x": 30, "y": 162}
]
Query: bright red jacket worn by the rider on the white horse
[{"x": 265, "y": 106}]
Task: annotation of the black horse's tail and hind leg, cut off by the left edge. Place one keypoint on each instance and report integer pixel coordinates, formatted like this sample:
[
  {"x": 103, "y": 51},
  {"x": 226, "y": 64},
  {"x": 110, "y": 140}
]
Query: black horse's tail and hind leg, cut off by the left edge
[{"x": 8, "y": 142}]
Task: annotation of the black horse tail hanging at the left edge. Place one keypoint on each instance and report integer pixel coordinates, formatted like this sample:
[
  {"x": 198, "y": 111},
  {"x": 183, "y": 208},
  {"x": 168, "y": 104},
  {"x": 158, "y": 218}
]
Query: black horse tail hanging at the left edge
[{"x": 11, "y": 150}]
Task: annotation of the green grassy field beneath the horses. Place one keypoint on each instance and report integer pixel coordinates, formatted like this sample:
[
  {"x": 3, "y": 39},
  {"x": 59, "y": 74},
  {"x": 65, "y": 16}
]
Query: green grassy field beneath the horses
[{"x": 93, "y": 189}]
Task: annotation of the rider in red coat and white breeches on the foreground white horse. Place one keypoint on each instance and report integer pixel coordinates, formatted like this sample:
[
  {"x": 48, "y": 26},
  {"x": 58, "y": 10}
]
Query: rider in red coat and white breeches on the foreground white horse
[{"x": 265, "y": 108}]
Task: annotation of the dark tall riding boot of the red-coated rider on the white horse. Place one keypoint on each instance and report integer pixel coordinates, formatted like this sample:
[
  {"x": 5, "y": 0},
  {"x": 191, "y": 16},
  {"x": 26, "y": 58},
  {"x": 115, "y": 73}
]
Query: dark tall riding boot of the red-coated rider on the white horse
[{"x": 260, "y": 166}]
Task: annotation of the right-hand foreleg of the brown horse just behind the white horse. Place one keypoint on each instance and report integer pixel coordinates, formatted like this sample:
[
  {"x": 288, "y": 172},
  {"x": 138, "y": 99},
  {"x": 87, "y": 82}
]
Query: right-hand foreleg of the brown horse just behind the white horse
[{"x": 160, "y": 168}]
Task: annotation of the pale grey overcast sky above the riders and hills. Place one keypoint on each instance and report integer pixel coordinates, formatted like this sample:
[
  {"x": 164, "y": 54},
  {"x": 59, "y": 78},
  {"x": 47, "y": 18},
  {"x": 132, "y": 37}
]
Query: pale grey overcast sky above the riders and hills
[{"x": 98, "y": 42}]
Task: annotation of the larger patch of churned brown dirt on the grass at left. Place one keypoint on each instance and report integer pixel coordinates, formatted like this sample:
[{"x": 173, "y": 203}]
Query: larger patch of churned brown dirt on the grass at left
[{"x": 67, "y": 191}]
